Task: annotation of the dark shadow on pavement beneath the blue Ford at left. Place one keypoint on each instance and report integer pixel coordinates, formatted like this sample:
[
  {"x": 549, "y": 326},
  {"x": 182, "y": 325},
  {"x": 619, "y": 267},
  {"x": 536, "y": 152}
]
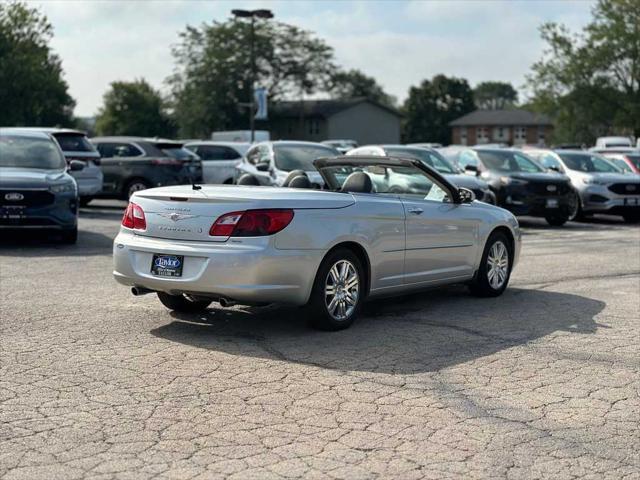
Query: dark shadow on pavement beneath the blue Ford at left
[{"x": 46, "y": 244}]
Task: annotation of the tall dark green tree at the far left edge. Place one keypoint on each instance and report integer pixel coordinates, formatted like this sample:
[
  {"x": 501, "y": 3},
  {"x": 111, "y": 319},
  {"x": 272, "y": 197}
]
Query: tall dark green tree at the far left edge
[{"x": 32, "y": 88}]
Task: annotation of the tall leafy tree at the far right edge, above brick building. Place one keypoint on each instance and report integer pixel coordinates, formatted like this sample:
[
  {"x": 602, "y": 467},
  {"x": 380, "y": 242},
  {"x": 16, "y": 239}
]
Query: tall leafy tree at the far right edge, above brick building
[{"x": 590, "y": 81}]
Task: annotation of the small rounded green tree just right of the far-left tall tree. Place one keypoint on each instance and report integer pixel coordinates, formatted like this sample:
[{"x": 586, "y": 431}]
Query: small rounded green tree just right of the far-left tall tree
[{"x": 133, "y": 108}]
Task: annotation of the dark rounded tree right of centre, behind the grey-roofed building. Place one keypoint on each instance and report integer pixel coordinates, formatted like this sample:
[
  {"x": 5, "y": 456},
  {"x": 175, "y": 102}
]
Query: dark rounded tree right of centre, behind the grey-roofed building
[{"x": 431, "y": 106}]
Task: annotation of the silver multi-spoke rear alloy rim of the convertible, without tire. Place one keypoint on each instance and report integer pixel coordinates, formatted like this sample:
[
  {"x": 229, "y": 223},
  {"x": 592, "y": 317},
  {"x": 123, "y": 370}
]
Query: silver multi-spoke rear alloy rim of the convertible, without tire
[{"x": 342, "y": 290}]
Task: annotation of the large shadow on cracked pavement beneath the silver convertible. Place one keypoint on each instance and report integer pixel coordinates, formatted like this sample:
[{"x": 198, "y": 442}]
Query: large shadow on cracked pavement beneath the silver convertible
[{"x": 412, "y": 334}]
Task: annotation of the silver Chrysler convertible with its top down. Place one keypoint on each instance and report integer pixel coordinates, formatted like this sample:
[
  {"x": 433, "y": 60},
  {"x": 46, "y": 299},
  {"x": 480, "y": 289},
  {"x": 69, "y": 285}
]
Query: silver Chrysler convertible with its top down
[{"x": 327, "y": 250}]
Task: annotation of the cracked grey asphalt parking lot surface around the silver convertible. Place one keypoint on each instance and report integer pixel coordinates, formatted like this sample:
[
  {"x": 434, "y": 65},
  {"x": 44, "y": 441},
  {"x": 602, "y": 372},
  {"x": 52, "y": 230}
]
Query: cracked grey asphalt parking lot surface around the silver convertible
[{"x": 541, "y": 382}]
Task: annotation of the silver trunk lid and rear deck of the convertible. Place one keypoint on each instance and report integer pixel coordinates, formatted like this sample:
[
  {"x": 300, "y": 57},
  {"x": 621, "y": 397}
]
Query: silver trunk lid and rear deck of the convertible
[{"x": 182, "y": 213}]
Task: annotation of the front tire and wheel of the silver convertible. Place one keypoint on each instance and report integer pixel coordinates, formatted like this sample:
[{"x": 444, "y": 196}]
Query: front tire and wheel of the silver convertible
[{"x": 493, "y": 275}]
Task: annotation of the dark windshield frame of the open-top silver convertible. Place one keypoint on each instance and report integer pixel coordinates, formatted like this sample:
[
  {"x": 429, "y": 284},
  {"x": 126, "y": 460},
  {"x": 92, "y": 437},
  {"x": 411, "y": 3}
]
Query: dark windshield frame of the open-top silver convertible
[{"x": 322, "y": 165}]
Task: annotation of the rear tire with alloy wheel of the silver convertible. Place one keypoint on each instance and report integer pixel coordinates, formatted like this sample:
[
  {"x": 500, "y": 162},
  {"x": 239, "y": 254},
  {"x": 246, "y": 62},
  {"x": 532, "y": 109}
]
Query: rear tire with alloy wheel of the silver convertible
[{"x": 338, "y": 291}]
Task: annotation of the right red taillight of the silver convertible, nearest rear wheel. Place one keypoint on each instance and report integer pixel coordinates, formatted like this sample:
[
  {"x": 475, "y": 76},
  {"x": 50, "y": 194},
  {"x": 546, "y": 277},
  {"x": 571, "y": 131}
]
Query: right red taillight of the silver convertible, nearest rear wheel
[{"x": 251, "y": 223}]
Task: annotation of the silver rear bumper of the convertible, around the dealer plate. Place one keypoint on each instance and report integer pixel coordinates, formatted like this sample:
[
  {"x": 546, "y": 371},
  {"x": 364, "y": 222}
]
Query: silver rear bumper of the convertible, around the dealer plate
[{"x": 253, "y": 272}]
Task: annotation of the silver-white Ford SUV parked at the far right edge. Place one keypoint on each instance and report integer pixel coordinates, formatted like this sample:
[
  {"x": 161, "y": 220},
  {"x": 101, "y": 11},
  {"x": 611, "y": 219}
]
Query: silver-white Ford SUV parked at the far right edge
[{"x": 600, "y": 186}]
